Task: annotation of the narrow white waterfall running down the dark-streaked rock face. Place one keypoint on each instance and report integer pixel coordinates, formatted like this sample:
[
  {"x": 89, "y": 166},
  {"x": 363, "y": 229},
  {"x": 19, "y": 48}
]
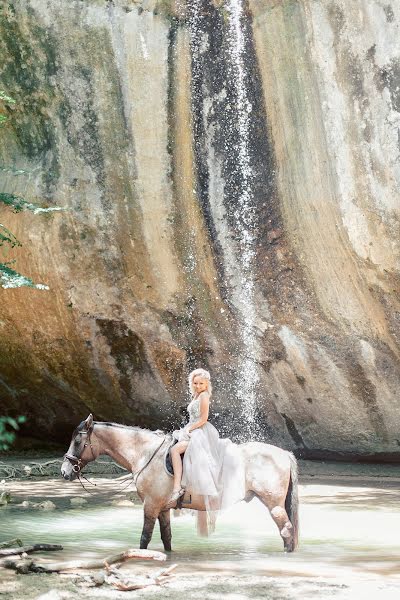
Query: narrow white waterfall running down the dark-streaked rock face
[{"x": 239, "y": 258}]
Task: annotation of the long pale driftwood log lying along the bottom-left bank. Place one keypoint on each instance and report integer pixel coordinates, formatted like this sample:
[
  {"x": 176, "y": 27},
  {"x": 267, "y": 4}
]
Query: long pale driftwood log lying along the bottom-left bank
[{"x": 74, "y": 565}]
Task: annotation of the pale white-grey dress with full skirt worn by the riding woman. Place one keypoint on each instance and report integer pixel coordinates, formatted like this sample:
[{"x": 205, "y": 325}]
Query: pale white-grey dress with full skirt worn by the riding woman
[{"x": 212, "y": 467}]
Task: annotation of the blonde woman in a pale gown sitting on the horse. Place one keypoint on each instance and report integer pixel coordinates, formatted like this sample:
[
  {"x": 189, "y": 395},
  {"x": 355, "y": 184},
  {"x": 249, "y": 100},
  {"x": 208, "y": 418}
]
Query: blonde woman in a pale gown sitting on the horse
[{"x": 212, "y": 467}]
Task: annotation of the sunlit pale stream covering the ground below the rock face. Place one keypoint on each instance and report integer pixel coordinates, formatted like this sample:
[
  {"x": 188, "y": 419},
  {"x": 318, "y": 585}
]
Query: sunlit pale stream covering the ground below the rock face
[{"x": 349, "y": 545}]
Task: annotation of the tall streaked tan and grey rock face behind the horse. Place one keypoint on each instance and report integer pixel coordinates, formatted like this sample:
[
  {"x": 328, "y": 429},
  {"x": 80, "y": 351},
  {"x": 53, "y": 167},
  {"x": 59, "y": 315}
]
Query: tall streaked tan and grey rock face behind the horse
[{"x": 231, "y": 174}]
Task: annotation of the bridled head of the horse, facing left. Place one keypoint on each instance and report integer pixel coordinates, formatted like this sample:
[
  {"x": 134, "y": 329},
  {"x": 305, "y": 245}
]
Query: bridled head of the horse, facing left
[{"x": 80, "y": 451}]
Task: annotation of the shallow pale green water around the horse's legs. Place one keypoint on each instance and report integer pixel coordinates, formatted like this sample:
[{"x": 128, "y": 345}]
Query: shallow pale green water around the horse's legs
[{"x": 348, "y": 532}]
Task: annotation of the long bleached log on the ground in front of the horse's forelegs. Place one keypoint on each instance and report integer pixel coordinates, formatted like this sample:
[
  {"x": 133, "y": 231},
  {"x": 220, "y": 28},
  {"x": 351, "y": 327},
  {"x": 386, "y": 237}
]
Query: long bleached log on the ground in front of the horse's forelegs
[{"x": 40, "y": 567}]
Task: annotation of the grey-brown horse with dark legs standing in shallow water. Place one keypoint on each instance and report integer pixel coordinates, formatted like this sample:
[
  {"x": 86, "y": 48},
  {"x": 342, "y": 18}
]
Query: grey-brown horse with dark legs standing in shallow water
[{"x": 270, "y": 474}]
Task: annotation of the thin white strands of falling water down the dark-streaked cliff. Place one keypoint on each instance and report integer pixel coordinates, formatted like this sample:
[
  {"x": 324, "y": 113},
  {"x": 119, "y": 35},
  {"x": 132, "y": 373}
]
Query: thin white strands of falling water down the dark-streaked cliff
[{"x": 240, "y": 282}]
